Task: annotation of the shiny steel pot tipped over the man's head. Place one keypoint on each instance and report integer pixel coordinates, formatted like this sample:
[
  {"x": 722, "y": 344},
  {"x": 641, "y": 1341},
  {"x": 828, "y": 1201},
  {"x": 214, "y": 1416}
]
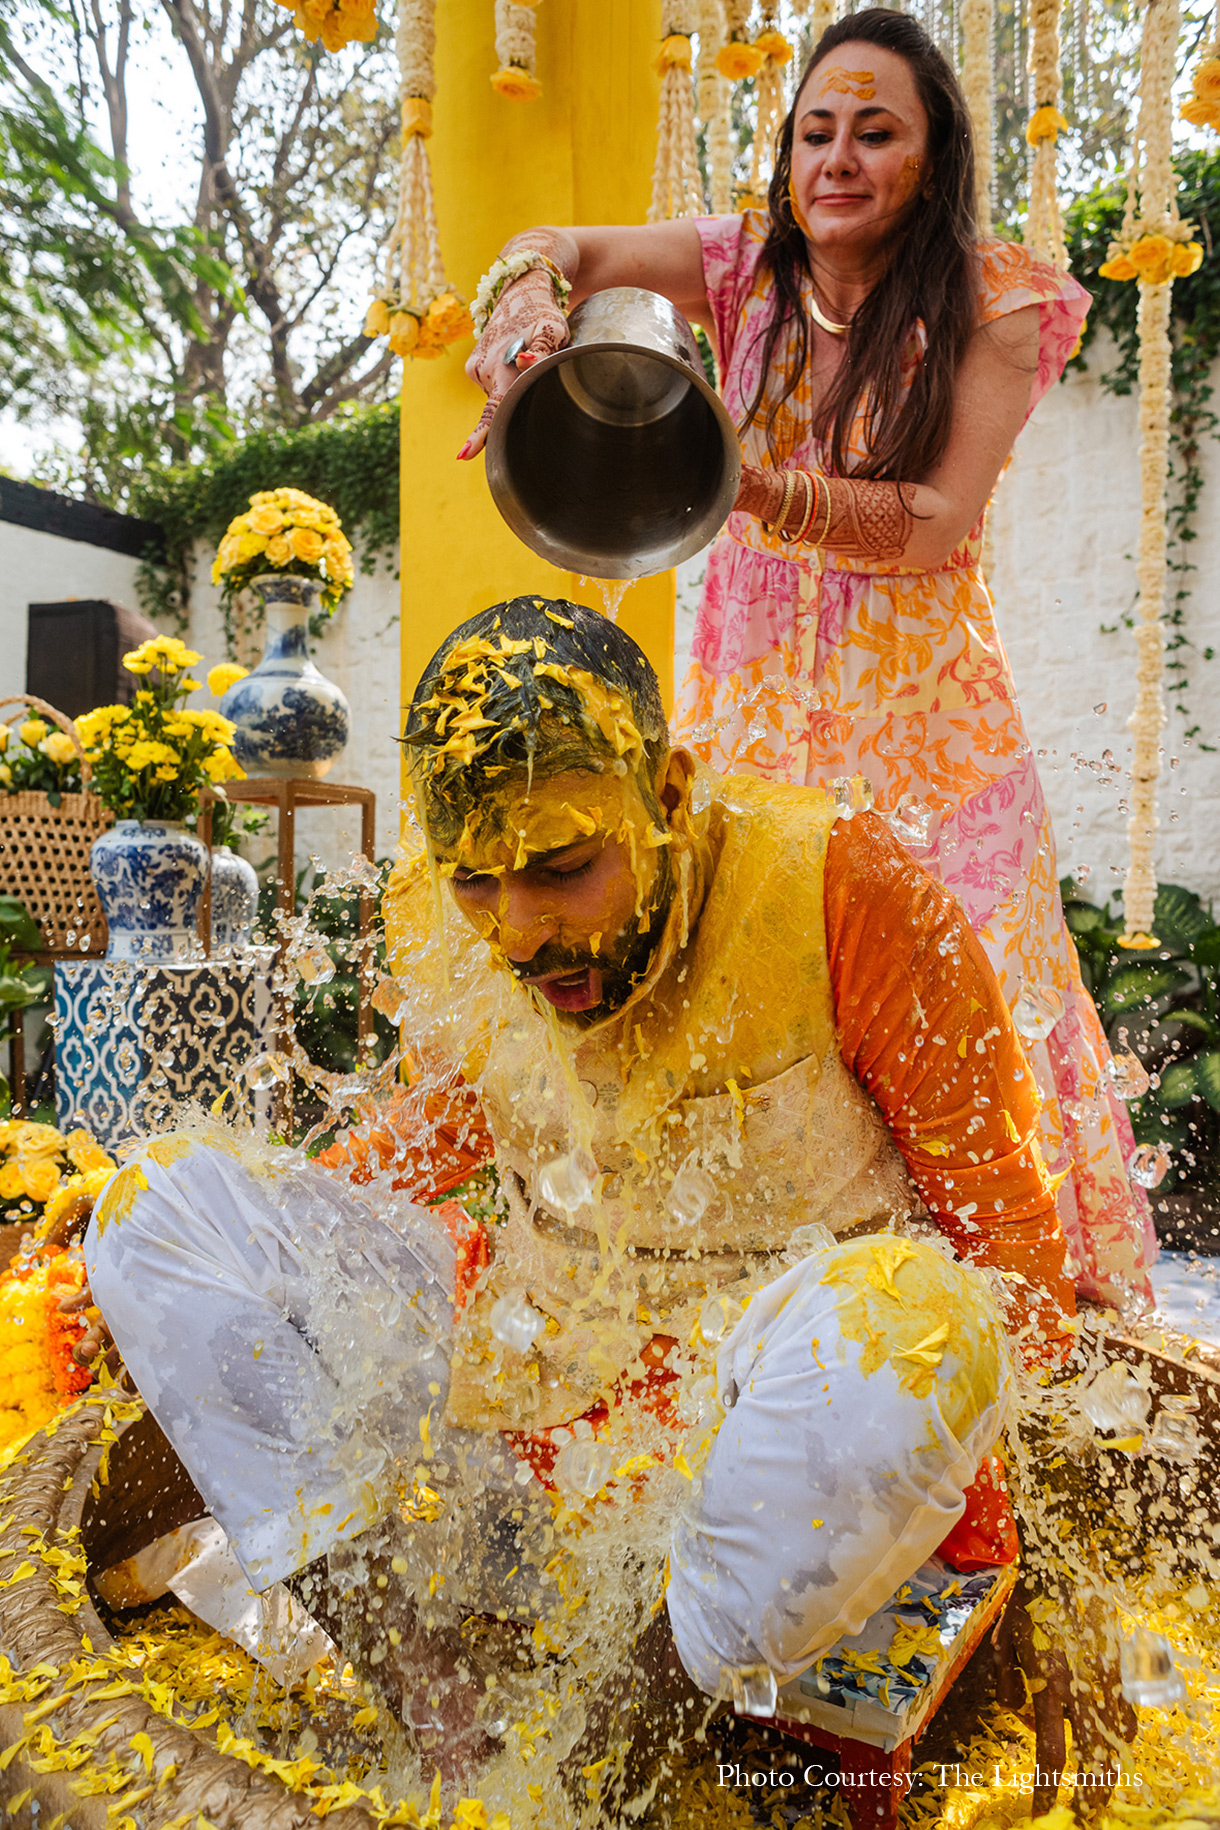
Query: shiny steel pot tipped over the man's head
[{"x": 614, "y": 457}]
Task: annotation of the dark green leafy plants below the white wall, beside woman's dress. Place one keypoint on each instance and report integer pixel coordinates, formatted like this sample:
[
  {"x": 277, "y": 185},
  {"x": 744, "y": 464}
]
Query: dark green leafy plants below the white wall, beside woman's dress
[{"x": 1166, "y": 1009}]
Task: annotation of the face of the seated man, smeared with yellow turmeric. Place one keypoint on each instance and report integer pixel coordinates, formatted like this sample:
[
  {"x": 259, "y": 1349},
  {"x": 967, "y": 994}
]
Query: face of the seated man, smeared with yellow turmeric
[{"x": 568, "y": 881}]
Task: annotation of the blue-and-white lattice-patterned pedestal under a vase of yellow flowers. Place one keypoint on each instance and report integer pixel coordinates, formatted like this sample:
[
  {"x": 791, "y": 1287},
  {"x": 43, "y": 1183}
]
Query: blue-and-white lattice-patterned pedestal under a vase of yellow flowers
[{"x": 140, "y": 1050}]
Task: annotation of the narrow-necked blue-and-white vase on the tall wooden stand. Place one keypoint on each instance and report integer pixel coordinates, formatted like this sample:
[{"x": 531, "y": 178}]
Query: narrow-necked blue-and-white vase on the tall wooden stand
[{"x": 292, "y": 720}]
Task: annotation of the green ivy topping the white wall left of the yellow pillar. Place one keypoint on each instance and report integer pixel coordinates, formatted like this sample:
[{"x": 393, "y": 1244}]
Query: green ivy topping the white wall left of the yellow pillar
[{"x": 350, "y": 462}]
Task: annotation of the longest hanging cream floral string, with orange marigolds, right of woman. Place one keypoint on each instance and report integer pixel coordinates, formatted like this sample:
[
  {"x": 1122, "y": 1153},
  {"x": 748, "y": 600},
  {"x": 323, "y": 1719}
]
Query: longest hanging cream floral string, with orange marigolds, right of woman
[{"x": 1153, "y": 175}]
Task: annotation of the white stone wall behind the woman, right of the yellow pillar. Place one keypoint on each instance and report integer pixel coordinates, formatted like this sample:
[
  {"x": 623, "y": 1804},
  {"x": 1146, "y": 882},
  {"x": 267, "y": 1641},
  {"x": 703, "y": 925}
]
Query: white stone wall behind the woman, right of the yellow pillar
[{"x": 1064, "y": 533}]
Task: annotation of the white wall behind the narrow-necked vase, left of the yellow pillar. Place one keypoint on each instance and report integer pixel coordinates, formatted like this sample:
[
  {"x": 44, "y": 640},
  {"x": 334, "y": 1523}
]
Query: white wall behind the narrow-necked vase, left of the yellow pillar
[{"x": 361, "y": 654}]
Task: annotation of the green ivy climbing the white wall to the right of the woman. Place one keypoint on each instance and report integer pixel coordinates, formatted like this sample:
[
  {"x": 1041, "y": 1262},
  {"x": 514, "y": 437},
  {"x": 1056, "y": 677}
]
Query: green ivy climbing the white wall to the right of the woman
[{"x": 1091, "y": 226}]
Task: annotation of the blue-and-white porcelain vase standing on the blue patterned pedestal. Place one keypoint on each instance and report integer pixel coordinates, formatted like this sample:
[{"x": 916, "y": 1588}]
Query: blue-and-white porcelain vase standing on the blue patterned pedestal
[{"x": 149, "y": 879}]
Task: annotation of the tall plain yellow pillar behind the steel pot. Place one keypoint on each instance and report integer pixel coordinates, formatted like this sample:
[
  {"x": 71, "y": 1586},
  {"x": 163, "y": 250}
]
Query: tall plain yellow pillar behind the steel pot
[{"x": 581, "y": 155}]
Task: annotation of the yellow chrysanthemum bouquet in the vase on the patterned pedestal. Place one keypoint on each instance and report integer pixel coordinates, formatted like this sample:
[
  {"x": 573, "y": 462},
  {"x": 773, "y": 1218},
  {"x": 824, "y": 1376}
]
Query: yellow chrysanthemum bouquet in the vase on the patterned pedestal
[{"x": 151, "y": 759}]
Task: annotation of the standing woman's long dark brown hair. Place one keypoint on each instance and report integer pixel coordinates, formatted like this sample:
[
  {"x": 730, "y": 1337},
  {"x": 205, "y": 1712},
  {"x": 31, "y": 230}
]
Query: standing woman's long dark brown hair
[{"x": 930, "y": 275}]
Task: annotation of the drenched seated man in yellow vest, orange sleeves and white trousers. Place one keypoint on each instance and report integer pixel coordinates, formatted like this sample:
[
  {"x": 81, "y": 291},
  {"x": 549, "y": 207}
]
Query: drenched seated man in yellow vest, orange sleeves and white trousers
[{"x": 762, "y": 1128}]
